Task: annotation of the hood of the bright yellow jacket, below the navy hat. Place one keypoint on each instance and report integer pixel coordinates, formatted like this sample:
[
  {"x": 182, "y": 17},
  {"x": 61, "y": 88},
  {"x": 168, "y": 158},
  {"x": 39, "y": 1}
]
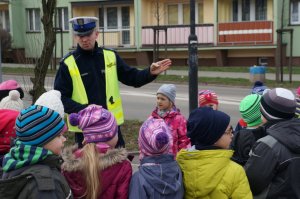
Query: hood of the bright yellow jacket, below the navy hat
[{"x": 203, "y": 169}]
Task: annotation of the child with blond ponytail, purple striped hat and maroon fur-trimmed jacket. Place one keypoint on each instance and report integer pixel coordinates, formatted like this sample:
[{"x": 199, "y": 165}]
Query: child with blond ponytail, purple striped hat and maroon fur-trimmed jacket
[{"x": 97, "y": 170}]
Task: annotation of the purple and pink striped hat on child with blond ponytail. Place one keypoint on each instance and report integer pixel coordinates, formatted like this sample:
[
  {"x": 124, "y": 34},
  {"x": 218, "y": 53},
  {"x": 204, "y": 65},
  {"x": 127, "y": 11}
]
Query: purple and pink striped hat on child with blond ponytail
[{"x": 97, "y": 124}]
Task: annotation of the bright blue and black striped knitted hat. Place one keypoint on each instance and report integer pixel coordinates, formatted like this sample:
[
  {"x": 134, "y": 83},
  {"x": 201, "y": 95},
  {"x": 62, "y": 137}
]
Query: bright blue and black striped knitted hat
[{"x": 38, "y": 125}]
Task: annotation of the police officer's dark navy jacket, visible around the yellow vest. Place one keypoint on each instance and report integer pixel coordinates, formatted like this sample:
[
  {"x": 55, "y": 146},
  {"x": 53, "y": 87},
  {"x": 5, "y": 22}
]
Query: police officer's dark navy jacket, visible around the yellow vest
[{"x": 92, "y": 69}]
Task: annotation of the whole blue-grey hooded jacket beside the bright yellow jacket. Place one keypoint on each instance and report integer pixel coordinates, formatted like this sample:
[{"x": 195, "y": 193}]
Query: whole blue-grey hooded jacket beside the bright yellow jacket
[{"x": 159, "y": 177}]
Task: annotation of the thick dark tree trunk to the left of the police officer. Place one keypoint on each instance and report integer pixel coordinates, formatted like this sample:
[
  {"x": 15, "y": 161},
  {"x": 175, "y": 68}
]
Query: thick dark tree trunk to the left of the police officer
[{"x": 43, "y": 62}]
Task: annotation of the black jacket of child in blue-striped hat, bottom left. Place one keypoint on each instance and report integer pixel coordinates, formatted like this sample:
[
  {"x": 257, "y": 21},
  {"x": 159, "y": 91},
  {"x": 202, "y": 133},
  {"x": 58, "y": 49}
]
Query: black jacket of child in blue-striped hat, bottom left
[{"x": 43, "y": 180}]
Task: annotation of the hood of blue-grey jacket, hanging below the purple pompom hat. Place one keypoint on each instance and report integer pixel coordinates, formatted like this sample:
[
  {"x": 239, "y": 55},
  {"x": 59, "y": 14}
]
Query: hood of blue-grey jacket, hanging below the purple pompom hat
[{"x": 162, "y": 173}]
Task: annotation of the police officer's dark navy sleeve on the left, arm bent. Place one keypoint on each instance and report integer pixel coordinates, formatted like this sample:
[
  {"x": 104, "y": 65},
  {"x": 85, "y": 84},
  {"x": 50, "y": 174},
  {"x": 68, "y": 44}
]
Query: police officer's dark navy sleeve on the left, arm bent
[{"x": 63, "y": 83}]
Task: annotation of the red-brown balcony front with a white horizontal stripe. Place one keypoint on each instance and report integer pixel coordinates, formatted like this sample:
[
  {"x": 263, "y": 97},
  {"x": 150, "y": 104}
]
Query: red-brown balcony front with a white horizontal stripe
[{"x": 246, "y": 33}]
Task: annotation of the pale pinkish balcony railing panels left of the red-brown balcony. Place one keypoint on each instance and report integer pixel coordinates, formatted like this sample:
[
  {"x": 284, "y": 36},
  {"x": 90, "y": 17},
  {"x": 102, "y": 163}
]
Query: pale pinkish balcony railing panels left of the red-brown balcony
[{"x": 177, "y": 35}]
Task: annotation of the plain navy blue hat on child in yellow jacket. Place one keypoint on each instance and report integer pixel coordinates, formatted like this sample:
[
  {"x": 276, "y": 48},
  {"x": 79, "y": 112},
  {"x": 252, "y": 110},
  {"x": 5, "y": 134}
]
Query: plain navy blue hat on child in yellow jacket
[{"x": 206, "y": 126}]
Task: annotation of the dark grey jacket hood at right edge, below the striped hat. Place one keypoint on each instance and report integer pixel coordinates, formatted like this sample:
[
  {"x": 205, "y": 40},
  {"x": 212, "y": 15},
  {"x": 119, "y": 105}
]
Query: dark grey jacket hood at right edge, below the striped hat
[{"x": 288, "y": 133}]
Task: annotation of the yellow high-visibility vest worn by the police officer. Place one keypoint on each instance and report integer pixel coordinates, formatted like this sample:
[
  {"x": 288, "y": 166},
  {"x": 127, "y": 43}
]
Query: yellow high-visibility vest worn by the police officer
[{"x": 113, "y": 98}]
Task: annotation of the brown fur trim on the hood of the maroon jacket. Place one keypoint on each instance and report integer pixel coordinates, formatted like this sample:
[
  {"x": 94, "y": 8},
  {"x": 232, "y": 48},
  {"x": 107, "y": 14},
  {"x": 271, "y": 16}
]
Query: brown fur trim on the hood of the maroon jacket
[{"x": 111, "y": 157}]
